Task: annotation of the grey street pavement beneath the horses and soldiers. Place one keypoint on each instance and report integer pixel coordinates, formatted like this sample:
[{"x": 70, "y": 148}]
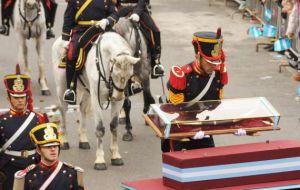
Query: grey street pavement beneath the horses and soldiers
[{"x": 251, "y": 74}]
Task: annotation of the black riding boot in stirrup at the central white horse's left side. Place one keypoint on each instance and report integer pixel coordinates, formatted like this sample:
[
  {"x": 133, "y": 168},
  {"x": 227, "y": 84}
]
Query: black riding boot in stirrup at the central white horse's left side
[{"x": 70, "y": 93}]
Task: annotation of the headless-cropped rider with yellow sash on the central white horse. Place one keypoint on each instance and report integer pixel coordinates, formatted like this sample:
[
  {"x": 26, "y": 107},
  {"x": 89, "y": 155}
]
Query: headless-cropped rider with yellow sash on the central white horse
[{"x": 79, "y": 16}]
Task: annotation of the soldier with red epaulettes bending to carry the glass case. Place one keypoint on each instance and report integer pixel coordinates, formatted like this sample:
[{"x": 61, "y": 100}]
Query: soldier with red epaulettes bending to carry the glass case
[{"x": 203, "y": 79}]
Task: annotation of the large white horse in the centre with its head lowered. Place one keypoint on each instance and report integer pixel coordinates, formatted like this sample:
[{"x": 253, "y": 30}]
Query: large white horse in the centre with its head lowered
[{"x": 115, "y": 64}]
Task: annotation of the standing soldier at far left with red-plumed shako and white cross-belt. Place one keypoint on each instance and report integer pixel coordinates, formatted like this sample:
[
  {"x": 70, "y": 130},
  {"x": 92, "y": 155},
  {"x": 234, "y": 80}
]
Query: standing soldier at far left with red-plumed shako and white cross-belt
[{"x": 16, "y": 149}]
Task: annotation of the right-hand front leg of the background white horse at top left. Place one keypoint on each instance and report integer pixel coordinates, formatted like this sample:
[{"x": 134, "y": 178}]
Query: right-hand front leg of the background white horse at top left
[{"x": 42, "y": 79}]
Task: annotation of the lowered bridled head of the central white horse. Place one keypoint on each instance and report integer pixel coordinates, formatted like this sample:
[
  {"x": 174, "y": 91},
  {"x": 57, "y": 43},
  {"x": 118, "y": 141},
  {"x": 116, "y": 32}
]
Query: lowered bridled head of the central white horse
[{"x": 121, "y": 71}]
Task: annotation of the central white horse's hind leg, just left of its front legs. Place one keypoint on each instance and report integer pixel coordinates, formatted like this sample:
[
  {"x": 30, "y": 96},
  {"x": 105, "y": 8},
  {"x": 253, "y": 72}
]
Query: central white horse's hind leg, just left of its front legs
[{"x": 84, "y": 110}]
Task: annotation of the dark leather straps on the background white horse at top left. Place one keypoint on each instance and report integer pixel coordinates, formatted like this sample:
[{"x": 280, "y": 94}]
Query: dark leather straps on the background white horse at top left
[{"x": 28, "y": 23}]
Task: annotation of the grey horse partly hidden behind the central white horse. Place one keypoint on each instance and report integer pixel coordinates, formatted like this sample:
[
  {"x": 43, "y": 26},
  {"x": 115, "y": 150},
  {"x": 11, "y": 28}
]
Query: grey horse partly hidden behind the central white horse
[{"x": 142, "y": 71}]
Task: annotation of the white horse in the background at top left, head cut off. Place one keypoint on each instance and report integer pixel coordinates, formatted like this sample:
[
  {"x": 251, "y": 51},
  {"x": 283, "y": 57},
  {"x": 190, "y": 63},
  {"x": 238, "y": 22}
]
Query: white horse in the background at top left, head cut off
[{"x": 29, "y": 22}]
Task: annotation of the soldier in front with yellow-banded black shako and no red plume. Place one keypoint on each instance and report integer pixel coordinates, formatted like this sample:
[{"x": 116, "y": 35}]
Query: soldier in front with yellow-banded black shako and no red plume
[{"x": 50, "y": 173}]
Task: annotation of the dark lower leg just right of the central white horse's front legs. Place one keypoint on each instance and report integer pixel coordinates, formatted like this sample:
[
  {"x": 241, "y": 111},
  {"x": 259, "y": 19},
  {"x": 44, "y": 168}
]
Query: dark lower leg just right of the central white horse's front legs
[{"x": 127, "y": 106}]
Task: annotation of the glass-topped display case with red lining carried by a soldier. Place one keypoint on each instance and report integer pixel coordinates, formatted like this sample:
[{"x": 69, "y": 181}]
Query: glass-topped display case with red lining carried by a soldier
[{"x": 213, "y": 117}]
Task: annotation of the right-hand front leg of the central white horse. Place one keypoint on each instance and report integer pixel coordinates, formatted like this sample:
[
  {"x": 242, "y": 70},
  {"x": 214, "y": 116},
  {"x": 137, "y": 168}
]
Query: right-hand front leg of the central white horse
[{"x": 116, "y": 158}]
